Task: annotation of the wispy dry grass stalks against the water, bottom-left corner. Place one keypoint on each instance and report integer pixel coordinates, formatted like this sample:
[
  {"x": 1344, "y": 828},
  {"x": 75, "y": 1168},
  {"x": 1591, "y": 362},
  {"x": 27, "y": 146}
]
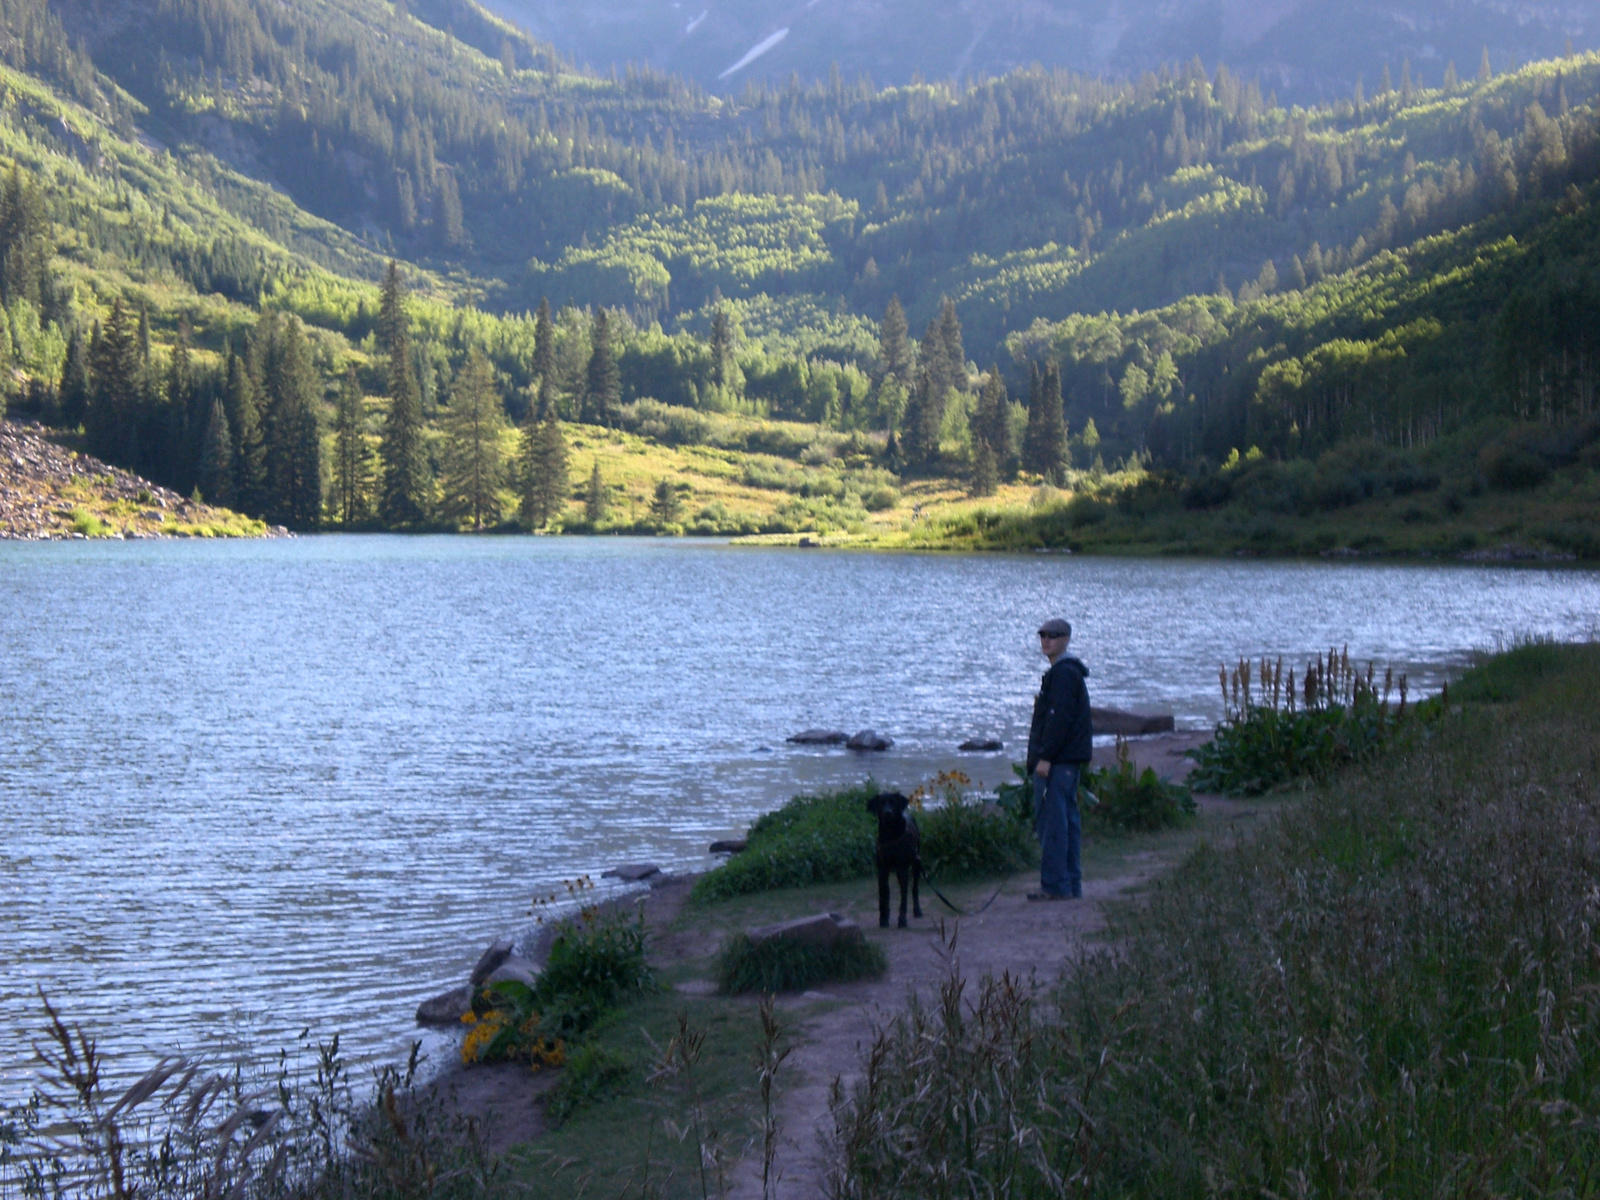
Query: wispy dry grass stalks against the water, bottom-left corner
[{"x": 191, "y": 1130}]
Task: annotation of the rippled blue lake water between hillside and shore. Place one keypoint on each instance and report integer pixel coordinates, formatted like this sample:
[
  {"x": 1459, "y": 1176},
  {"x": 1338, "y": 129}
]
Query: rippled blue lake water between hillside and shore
[{"x": 254, "y": 788}]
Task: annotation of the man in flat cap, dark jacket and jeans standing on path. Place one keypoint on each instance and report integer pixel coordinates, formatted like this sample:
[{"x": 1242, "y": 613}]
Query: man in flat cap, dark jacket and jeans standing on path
[{"x": 1060, "y": 746}]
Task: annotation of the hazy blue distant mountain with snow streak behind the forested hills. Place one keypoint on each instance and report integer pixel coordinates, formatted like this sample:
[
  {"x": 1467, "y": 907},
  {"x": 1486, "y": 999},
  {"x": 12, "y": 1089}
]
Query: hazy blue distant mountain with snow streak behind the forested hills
[{"x": 1305, "y": 49}]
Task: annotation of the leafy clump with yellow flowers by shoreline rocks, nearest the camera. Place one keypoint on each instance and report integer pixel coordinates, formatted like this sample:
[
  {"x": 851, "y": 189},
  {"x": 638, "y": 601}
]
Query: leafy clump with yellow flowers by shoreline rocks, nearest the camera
[{"x": 596, "y": 962}]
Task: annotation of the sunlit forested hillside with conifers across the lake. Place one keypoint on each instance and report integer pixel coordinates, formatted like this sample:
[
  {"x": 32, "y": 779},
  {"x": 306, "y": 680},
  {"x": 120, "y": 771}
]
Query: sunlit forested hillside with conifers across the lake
[{"x": 1172, "y": 278}]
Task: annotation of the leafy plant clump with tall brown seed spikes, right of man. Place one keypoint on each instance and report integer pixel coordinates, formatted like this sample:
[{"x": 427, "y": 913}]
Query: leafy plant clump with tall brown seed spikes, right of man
[{"x": 1278, "y": 732}]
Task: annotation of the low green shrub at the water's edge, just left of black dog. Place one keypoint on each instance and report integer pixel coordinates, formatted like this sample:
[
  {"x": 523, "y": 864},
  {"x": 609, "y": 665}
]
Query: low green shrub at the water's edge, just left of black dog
[{"x": 814, "y": 839}]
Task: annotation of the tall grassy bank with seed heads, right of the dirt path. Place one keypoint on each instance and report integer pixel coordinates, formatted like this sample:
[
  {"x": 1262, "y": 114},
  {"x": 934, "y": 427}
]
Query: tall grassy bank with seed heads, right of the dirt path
[{"x": 1393, "y": 991}]
